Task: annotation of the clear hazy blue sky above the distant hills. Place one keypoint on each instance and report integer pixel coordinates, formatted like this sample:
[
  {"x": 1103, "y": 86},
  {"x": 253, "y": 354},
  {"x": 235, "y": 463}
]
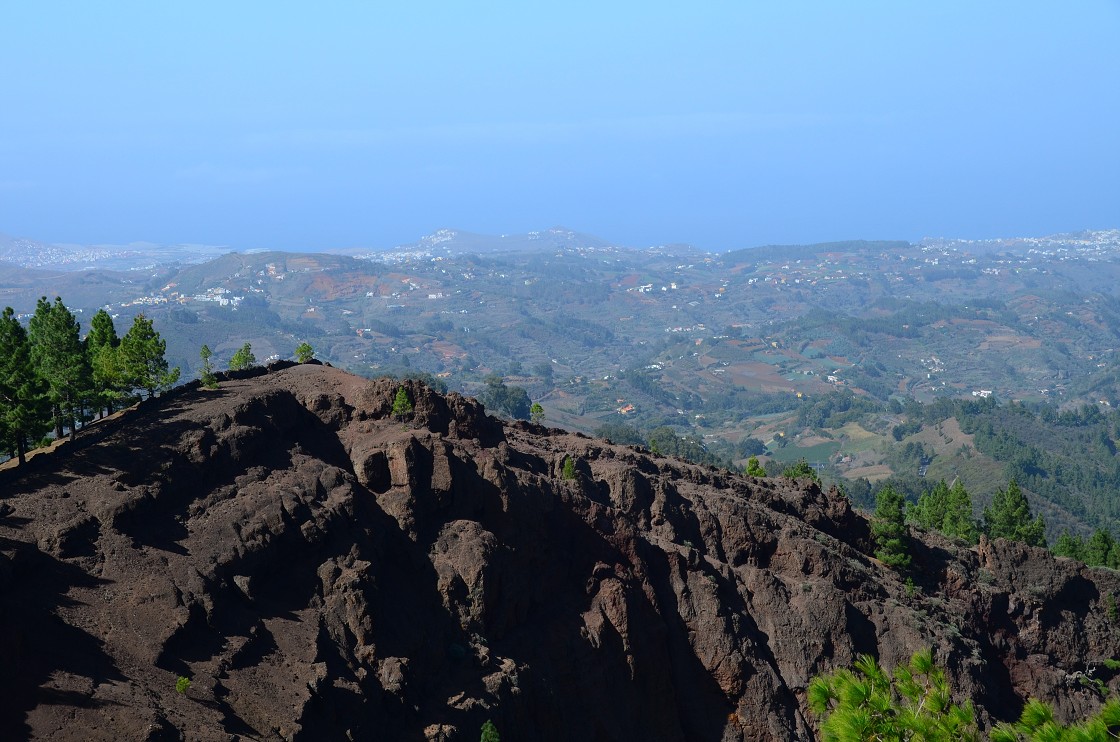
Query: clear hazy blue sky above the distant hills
[{"x": 724, "y": 124}]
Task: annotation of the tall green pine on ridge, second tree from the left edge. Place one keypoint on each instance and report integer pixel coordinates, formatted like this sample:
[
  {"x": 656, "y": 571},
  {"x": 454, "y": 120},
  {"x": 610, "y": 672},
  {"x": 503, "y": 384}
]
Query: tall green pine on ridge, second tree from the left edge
[{"x": 60, "y": 359}]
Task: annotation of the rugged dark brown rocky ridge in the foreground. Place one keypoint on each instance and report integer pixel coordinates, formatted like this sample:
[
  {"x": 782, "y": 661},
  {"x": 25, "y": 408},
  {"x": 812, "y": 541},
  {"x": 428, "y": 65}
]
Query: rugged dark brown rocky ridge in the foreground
[{"x": 322, "y": 571}]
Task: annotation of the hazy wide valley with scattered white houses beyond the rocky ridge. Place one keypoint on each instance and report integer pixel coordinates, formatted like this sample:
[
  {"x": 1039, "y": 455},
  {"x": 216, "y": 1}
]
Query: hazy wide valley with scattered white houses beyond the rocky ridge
[{"x": 826, "y": 353}]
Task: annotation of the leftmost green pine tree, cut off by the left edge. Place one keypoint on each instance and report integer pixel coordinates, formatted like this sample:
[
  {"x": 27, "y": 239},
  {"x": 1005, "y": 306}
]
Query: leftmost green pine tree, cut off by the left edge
[{"x": 25, "y": 412}]
